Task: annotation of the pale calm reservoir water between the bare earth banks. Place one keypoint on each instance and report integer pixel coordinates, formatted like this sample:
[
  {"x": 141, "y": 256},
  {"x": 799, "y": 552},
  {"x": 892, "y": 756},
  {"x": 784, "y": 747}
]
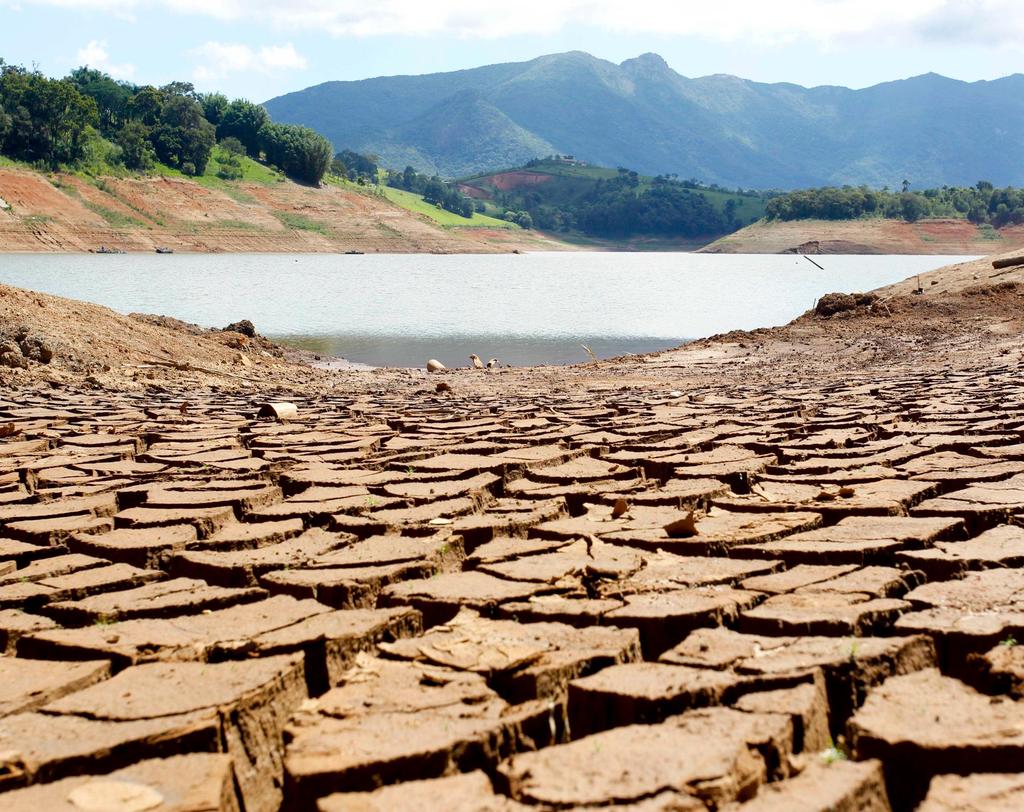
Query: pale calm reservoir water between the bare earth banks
[{"x": 402, "y": 310}]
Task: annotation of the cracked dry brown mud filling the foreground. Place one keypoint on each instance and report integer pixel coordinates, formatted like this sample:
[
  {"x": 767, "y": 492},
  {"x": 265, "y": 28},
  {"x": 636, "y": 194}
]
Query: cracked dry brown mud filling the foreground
[{"x": 798, "y": 589}]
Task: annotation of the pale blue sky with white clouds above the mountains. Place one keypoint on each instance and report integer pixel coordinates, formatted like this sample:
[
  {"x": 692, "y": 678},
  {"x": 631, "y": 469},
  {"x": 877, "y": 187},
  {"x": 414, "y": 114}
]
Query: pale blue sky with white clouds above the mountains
[{"x": 260, "y": 49}]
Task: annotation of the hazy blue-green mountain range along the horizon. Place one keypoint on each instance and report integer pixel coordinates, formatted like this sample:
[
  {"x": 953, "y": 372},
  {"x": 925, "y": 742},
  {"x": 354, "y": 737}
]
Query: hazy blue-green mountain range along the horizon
[{"x": 930, "y": 131}]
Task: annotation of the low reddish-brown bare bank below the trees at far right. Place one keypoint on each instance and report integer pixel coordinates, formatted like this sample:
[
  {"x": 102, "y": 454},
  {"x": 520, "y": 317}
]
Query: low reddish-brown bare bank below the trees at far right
[{"x": 868, "y": 237}]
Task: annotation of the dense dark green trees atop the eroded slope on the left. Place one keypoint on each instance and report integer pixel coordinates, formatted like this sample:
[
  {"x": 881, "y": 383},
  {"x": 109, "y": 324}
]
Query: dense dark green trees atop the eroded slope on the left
[{"x": 54, "y": 122}]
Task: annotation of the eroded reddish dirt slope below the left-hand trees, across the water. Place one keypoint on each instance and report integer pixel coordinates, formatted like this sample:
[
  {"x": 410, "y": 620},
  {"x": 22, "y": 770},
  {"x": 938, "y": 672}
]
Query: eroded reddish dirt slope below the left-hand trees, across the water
[{"x": 68, "y": 213}]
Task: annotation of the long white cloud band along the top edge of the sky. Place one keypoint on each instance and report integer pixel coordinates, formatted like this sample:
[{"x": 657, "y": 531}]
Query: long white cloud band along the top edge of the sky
[{"x": 773, "y": 22}]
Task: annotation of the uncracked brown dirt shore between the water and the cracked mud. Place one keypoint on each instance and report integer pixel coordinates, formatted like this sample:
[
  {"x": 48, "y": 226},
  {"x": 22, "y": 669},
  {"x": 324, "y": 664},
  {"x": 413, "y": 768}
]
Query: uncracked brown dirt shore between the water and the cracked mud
[{"x": 108, "y": 350}]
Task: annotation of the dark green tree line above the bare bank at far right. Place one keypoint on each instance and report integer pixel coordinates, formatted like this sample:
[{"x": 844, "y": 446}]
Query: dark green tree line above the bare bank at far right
[{"x": 982, "y": 204}]
